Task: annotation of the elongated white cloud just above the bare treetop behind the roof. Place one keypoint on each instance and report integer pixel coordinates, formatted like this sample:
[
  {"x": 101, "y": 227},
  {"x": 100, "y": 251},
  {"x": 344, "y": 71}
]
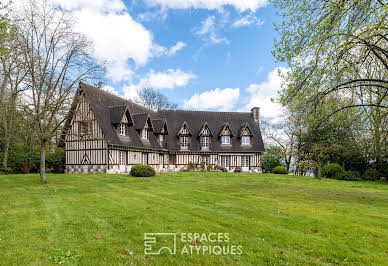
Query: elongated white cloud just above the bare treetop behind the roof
[{"x": 168, "y": 79}]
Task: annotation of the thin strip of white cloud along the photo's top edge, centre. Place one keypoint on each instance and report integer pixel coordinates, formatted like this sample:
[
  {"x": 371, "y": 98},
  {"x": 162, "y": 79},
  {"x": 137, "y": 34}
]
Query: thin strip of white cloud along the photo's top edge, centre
[{"x": 240, "y": 5}]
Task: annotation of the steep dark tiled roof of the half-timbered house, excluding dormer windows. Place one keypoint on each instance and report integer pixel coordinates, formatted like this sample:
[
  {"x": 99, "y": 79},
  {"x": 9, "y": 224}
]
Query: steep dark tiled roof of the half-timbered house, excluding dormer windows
[{"x": 109, "y": 109}]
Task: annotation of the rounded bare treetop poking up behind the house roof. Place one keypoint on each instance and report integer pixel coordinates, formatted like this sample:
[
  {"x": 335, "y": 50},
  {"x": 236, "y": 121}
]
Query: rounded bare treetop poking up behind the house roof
[{"x": 154, "y": 100}]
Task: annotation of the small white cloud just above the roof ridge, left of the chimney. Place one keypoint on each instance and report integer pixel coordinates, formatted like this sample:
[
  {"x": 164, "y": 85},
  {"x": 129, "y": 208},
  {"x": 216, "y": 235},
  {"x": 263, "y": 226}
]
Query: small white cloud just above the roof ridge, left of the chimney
[{"x": 223, "y": 100}]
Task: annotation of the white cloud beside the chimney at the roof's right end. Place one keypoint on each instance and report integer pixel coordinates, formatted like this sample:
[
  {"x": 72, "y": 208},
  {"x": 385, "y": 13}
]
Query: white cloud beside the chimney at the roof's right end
[{"x": 260, "y": 95}]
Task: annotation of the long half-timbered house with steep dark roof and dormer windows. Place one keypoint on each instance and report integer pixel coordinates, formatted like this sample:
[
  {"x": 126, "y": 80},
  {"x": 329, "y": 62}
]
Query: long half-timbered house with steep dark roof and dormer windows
[{"x": 106, "y": 133}]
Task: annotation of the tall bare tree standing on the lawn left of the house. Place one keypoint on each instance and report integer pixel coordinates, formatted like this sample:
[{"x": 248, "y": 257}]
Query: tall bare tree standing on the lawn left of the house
[{"x": 56, "y": 59}]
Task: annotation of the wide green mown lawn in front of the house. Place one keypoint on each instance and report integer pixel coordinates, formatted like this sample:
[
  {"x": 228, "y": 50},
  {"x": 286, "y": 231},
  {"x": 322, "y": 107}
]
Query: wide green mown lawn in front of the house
[{"x": 101, "y": 219}]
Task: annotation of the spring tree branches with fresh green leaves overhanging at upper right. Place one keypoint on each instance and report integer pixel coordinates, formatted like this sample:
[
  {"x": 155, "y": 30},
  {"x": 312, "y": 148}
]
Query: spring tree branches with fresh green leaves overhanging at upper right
[{"x": 331, "y": 47}]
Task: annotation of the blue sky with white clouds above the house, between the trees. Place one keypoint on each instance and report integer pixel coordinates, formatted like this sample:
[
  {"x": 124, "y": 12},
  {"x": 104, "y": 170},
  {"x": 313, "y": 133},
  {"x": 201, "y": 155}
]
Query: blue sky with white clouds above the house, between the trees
[{"x": 202, "y": 54}]
